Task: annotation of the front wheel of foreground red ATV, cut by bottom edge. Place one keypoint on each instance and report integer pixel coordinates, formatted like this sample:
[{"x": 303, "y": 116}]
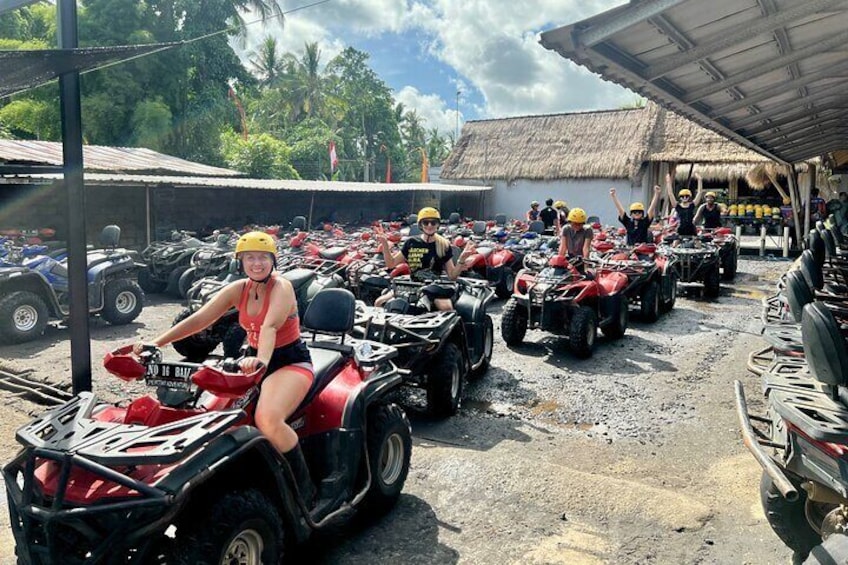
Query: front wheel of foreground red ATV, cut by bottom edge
[{"x": 240, "y": 523}]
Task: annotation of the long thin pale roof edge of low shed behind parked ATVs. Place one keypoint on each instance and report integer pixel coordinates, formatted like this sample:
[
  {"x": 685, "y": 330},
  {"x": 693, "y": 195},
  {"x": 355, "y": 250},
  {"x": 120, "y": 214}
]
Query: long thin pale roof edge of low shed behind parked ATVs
[{"x": 256, "y": 184}]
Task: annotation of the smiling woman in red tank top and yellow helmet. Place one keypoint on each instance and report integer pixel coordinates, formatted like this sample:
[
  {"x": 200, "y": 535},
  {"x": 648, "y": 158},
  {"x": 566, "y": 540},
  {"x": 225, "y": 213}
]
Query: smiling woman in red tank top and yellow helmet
[{"x": 268, "y": 313}]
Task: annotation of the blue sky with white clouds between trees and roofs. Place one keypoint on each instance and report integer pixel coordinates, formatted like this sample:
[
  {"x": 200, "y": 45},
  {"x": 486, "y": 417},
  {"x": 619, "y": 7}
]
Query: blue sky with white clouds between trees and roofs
[{"x": 426, "y": 50}]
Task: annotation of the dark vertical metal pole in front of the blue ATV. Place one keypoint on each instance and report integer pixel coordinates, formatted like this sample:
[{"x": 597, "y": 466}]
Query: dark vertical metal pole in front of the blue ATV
[{"x": 69, "y": 99}]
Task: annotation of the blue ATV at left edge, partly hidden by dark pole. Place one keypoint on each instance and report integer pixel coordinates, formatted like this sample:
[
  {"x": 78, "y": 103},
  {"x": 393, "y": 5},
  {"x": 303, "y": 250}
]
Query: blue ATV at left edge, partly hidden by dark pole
[{"x": 37, "y": 291}]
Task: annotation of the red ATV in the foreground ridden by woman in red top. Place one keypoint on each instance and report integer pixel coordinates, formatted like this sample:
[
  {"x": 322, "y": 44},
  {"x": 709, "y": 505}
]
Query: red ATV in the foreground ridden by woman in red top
[{"x": 184, "y": 476}]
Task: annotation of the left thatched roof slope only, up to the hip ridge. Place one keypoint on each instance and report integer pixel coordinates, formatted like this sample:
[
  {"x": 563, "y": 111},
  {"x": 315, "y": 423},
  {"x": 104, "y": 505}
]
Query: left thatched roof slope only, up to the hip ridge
[{"x": 606, "y": 144}]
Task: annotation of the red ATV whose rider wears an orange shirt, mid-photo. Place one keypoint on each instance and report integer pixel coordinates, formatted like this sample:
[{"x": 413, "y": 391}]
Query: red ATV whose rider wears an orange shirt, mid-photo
[{"x": 562, "y": 300}]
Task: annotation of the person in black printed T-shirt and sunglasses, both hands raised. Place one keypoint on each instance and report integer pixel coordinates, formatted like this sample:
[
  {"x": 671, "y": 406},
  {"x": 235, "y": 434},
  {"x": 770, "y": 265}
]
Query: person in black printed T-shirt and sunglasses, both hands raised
[{"x": 427, "y": 252}]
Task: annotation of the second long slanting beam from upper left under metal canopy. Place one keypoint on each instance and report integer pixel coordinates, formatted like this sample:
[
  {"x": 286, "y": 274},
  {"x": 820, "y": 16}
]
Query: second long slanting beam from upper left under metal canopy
[{"x": 737, "y": 34}]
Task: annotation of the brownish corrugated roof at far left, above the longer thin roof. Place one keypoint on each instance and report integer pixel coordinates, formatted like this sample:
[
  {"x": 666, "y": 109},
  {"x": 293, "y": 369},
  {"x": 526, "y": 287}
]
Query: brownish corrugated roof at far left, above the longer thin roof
[{"x": 103, "y": 158}]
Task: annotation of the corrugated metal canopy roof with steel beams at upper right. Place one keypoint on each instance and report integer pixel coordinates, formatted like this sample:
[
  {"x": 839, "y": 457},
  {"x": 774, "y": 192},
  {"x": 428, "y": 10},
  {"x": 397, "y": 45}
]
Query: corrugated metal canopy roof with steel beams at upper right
[{"x": 771, "y": 74}]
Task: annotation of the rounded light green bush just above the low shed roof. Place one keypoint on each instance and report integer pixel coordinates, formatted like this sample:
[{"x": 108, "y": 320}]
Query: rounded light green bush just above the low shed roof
[{"x": 259, "y": 156}]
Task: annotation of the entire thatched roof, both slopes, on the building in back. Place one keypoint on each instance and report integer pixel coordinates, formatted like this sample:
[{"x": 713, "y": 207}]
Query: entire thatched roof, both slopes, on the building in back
[{"x": 604, "y": 144}]
